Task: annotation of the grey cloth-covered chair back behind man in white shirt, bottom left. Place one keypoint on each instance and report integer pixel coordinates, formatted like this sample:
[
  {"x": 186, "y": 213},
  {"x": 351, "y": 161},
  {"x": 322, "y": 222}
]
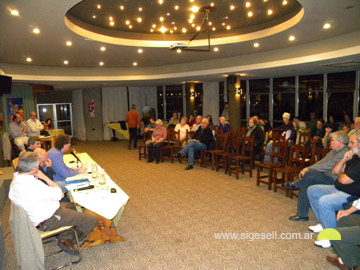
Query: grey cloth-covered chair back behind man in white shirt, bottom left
[{"x": 27, "y": 241}]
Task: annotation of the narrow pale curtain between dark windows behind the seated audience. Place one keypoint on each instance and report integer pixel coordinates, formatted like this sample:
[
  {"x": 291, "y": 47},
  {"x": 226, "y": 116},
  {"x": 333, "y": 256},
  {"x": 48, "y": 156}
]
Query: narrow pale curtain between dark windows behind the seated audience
[{"x": 211, "y": 101}]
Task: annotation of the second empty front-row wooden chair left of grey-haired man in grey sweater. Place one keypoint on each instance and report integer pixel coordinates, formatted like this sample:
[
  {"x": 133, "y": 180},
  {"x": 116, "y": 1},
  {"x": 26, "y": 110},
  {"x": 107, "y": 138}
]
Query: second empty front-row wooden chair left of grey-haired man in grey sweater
[{"x": 279, "y": 151}]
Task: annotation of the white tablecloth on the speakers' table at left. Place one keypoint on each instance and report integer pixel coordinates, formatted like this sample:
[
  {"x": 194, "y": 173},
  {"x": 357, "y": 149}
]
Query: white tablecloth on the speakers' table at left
[{"x": 99, "y": 199}]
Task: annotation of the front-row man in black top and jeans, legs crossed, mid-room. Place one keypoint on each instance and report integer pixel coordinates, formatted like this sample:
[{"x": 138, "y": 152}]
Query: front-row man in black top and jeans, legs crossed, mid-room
[{"x": 202, "y": 140}]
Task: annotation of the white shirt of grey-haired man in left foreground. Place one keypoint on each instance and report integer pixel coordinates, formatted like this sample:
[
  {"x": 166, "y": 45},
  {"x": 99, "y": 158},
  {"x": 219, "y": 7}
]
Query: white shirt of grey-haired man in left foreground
[{"x": 39, "y": 200}]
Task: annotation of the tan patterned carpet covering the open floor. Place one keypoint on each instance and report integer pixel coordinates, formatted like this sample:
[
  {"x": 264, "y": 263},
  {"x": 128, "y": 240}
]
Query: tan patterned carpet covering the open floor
[{"x": 173, "y": 214}]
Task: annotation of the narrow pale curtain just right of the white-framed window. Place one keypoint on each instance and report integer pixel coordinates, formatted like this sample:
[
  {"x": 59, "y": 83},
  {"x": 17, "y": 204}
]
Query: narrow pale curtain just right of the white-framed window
[{"x": 78, "y": 115}]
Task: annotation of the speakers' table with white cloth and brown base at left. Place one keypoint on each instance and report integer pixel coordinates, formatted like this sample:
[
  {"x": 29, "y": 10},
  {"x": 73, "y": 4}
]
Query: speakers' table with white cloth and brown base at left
[{"x": 106, "y": 206}]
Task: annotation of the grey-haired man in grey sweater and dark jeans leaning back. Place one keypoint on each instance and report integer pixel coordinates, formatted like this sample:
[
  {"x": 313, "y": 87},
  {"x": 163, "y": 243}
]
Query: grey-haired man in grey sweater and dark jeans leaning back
[{"x": 318, "y": 173}]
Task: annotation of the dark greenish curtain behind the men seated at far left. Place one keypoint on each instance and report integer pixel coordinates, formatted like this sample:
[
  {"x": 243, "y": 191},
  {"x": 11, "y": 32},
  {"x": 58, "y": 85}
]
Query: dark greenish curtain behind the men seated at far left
[{"x": 24, "y": 92}]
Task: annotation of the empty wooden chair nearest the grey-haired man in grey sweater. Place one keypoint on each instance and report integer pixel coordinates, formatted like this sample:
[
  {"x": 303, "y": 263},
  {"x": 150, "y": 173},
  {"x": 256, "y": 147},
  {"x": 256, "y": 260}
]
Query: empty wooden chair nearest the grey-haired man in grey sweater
[{"x": 297, "y": 161}]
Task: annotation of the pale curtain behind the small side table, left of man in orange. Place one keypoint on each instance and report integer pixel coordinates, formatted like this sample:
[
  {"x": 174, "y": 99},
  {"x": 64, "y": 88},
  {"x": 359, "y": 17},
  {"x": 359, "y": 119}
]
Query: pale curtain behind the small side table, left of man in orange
[{"x": 114, "y": 106}]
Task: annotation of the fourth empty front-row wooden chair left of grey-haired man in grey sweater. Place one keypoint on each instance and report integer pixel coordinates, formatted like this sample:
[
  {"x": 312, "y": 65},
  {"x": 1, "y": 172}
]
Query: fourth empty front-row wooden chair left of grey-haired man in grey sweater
[{"x": 233, "y": 148}]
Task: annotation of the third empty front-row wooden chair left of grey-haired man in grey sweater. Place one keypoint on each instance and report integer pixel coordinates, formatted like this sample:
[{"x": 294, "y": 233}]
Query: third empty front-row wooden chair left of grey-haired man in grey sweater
[{"x": 246, "y": 156}]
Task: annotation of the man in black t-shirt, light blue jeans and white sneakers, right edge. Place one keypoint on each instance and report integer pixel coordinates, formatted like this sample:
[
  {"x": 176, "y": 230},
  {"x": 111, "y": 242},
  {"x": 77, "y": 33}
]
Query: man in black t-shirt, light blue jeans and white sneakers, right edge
[{"x": 326, "y": 199}]
